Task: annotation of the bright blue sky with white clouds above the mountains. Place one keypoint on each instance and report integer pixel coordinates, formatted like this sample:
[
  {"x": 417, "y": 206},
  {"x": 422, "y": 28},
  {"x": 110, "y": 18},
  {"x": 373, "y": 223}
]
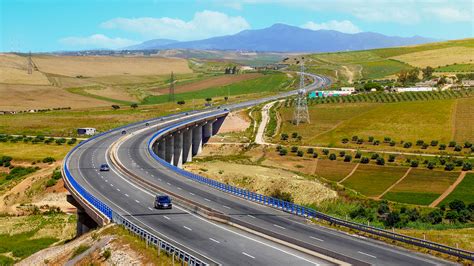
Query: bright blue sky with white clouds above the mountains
[{"x": 51, "y": 25}]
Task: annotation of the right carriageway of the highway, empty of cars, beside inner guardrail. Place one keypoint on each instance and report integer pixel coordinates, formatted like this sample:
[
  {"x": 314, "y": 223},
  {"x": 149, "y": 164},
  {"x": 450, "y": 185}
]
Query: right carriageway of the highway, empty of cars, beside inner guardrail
[{"x": 133, "y": 154}]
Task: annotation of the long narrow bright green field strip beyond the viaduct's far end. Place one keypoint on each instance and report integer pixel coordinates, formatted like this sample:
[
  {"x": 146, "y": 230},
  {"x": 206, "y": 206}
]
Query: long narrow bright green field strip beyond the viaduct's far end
[{"x": 274, "y": 82}]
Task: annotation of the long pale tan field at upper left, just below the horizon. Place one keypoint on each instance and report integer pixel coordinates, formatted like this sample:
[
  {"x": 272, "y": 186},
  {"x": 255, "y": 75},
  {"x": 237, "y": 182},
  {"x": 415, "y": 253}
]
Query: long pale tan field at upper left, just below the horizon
[{"x": 94, "y": 66}]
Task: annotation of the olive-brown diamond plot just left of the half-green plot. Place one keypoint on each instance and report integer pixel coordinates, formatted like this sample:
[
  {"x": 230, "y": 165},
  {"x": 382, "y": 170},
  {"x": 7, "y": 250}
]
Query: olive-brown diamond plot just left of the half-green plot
[{"x": 372, "y": 180}]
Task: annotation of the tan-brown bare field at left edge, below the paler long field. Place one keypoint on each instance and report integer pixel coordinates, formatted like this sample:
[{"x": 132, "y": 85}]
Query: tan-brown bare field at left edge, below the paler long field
[{"x": 25, "y": 97}]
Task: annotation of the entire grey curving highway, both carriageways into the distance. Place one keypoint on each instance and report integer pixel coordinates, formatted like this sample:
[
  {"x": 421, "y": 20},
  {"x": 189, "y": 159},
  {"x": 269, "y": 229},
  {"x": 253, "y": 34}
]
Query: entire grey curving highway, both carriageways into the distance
[{"x": 220, "y": 243}]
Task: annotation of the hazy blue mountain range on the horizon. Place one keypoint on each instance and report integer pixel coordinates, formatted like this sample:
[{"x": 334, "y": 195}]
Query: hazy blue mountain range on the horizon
[{"x": 285, "y": 38}]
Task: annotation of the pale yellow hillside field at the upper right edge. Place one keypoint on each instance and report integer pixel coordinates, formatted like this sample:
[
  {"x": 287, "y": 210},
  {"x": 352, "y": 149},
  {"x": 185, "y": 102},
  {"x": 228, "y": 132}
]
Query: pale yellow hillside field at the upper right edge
[{"x": 438, "y": 57}]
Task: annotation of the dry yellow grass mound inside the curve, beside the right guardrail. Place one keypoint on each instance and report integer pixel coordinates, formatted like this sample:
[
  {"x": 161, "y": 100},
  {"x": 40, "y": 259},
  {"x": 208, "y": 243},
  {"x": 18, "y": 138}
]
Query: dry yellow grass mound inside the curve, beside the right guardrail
[{"x": 265, "y": 180}]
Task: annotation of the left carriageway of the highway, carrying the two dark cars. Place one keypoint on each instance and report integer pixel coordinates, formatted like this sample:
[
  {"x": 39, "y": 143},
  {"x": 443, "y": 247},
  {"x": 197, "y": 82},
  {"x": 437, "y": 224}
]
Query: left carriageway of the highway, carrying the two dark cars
[{"x": 223, "y": 244}]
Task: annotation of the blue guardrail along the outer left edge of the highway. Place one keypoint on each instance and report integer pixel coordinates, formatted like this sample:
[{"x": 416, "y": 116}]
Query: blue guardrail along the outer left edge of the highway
[{"x": 150, "y": 238}]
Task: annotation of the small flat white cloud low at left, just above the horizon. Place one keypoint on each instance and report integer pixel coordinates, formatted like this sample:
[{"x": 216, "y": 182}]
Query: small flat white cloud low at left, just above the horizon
[{"x": 96, "y": 41}]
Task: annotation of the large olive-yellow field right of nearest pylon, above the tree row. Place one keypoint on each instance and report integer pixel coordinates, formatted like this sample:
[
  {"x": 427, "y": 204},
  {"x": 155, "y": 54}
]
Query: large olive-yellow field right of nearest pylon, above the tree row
[{"x": 407, "y": 121}]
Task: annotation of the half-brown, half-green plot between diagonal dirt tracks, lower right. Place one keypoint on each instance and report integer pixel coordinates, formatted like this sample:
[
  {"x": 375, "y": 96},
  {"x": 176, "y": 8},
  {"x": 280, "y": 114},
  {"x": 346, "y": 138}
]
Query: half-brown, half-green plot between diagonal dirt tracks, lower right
[{"x": 421, "y": 186}]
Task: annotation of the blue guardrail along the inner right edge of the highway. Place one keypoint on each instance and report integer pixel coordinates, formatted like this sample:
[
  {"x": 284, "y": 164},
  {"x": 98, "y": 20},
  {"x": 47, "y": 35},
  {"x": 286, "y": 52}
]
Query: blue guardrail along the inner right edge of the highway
[{"x": 301, "y": 210}]
